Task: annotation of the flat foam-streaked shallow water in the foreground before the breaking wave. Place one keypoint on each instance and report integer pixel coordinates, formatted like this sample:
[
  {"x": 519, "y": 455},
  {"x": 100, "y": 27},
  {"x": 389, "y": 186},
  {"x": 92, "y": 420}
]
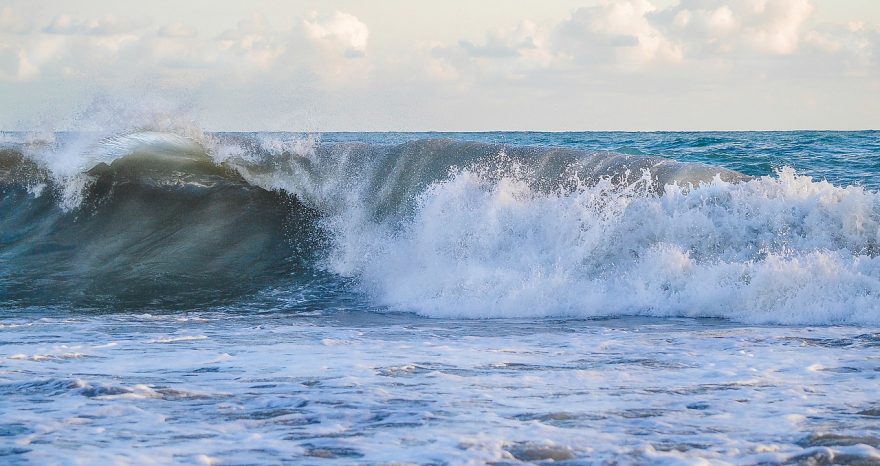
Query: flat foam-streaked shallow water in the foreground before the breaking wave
[{"x": 338, "y": 388}]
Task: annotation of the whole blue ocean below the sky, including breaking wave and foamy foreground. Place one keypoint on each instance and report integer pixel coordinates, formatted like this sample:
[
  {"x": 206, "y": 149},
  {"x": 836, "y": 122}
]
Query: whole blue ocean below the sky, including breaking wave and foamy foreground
[{"x": 179, "y": 296}]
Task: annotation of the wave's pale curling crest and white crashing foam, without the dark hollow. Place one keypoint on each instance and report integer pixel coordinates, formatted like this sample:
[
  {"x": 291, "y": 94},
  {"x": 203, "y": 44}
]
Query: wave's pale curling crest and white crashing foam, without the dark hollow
[{"x": 453, "y": 230}]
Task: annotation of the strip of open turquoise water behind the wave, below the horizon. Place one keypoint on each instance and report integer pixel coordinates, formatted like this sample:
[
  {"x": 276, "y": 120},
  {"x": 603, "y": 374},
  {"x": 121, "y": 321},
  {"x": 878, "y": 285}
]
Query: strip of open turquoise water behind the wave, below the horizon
[{"x": 842, "y": 158}]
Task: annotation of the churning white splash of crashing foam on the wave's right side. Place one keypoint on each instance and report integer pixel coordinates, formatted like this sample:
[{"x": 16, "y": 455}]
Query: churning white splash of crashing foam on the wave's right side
[{"x": 783, "y": 249}]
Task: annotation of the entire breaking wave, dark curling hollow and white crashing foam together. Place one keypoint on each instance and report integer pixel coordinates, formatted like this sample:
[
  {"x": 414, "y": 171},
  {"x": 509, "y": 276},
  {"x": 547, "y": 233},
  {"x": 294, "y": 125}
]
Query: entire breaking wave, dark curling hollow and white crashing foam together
[{"x": 440, "y": 227}]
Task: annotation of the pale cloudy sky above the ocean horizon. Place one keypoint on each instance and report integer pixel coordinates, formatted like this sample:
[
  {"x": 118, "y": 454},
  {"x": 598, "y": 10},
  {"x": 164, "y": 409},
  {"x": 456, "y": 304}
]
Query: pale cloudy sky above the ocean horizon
[{"x": 404, "y": 65}]
